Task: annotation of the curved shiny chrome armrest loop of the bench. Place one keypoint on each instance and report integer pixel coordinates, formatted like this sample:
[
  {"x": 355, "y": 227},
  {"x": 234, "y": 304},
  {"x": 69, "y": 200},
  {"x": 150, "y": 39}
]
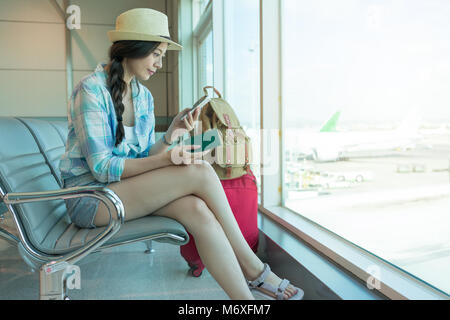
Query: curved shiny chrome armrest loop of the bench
[{"x": 107, "y": 196}]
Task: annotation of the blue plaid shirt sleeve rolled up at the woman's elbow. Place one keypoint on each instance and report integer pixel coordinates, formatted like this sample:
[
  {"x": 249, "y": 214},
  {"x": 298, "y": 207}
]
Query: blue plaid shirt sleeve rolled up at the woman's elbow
[{"x": 95, "y": 136}]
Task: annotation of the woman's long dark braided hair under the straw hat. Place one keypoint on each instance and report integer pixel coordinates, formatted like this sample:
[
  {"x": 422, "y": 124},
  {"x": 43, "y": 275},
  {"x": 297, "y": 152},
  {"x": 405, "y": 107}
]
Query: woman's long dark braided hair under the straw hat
[{"x": 119, "y": 50}]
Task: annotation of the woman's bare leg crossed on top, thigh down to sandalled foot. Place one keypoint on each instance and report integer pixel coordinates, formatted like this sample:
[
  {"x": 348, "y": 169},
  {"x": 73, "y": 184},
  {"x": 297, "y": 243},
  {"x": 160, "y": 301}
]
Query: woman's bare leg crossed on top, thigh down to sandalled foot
[{"x": 153, "y": 190}]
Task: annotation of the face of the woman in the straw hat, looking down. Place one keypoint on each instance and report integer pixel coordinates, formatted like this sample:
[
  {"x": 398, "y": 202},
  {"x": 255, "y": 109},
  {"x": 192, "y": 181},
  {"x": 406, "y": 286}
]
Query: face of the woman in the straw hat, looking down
[{"x": 144, "y": 68}]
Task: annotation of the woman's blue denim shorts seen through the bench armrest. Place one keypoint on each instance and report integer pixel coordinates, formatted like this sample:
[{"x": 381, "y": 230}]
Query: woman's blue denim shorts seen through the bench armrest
[{"x": 82, "y": 211}]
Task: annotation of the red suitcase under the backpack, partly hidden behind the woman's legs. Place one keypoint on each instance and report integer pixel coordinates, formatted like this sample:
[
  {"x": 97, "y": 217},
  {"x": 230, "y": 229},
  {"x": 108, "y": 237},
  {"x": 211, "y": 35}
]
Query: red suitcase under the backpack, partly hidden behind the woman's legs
[{"x": 242, "y": 195}]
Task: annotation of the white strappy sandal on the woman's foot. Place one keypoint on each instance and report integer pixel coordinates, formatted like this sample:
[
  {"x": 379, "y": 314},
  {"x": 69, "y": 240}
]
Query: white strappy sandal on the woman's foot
[{"x": 259, "y": 283}]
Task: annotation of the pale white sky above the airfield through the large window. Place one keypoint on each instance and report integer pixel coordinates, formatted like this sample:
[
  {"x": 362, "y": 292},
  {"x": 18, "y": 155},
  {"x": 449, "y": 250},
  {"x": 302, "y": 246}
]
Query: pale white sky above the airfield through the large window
[{"x": 376, "y": 60}]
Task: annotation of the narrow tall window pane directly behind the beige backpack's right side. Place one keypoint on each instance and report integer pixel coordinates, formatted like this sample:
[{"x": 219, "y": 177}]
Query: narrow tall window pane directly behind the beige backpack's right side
[{"x": 242, "y": 64}]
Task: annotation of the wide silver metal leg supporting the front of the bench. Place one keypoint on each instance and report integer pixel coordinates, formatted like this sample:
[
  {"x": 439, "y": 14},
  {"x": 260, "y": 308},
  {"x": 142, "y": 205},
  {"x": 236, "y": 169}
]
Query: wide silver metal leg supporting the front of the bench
[{"x": 55, "y": 279}]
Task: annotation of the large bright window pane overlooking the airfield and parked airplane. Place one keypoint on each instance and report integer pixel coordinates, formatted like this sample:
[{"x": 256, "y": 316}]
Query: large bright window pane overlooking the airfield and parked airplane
[{"x": 366, "y": 126}]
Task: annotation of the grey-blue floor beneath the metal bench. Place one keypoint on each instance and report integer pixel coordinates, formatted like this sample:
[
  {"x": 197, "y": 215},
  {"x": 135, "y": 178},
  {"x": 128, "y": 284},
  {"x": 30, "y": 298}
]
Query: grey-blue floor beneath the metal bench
[{"x": 124, "y": 272}]
